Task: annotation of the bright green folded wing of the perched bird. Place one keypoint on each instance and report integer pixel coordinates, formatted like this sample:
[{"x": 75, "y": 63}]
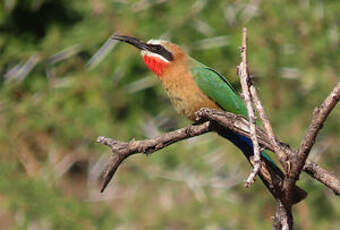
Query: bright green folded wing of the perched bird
[{"x": 218, "y": 89}]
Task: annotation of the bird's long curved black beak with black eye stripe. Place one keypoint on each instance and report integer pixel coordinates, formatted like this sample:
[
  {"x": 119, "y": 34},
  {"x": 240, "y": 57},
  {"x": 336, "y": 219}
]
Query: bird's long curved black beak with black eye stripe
[{"x": 154, "y": 48}]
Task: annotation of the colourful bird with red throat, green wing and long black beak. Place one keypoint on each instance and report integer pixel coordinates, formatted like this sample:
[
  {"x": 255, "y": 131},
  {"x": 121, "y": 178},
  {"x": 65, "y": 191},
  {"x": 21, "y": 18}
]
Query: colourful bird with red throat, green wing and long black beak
[{"x": 191, "y": 85}]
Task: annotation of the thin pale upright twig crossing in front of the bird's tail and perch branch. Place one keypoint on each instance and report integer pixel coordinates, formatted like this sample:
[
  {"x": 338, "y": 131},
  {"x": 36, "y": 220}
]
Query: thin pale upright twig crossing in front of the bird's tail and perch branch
[{"x": 245, "y": 83}]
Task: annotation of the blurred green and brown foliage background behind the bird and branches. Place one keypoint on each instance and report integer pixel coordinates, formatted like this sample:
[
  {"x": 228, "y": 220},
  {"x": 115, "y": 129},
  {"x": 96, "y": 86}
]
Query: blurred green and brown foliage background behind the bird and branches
[{"x": 52, "y": 108}]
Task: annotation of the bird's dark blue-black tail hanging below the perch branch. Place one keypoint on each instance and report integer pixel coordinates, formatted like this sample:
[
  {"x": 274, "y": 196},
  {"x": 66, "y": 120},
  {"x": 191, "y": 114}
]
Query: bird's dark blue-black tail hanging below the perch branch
[{"x": 270, "y": 173}]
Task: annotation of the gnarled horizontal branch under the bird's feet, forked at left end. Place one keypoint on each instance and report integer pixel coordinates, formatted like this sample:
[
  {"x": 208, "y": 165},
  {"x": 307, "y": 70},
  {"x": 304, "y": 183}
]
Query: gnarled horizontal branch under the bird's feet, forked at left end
[{"x": 237, "y": 124}]
